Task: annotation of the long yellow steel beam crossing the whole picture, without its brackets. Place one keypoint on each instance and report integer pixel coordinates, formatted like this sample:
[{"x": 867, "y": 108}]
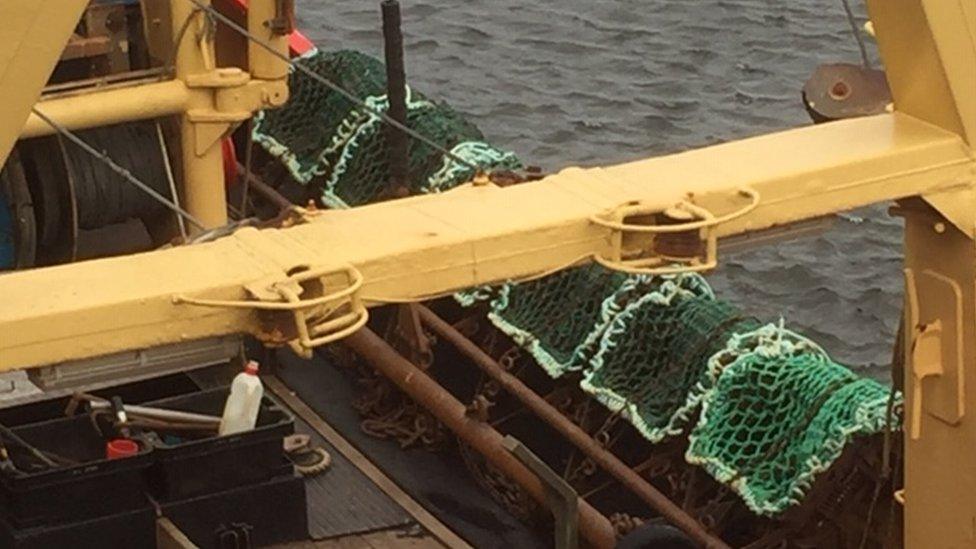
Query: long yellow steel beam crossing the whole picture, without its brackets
[{"x": 416, "y": 247}]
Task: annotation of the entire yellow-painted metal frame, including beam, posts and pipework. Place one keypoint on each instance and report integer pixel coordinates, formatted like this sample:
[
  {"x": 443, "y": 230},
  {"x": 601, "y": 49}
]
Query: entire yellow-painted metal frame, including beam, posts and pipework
[{"x": 920, "y": 155}]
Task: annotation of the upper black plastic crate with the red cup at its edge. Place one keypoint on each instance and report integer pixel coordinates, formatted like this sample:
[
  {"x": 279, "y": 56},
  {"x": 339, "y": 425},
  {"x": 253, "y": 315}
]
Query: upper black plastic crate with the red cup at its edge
[{"x": 92, "y": 487}]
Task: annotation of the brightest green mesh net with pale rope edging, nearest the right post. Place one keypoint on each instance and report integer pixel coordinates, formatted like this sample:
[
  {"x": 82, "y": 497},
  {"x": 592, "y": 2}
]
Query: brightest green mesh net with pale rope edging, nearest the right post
[{"x": 780, "y": 412}]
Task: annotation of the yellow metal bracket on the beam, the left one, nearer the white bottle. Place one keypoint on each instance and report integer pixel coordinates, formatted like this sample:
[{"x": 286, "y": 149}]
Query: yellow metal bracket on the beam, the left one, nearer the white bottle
[{"x": 320, "y": 319}]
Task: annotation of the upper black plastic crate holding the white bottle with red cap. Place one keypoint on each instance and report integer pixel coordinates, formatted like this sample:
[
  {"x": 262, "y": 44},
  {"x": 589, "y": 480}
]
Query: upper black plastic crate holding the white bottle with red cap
[{"x": 197, "y": 466}]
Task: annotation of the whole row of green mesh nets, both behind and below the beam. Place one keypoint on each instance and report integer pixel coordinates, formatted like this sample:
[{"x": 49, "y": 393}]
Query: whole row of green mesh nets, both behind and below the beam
[{"x": 767, "y": 409}]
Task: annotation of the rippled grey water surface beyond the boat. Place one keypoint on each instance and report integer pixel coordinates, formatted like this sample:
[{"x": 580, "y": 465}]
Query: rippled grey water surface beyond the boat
[{"x": 573, "y": 82}]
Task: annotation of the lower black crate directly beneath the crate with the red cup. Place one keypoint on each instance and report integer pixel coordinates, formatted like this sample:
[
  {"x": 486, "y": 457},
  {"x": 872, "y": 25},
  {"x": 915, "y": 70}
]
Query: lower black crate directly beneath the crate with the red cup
[{"x": 128, "y": 530}]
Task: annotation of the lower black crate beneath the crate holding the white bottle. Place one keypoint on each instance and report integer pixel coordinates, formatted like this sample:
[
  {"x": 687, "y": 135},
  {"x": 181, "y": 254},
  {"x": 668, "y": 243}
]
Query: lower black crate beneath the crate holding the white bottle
[{"x": 260, "y": 514}]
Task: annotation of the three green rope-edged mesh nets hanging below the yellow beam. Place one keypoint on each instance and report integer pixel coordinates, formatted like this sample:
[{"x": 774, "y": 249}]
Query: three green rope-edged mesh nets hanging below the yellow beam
[{"x": 775, "y": 410}]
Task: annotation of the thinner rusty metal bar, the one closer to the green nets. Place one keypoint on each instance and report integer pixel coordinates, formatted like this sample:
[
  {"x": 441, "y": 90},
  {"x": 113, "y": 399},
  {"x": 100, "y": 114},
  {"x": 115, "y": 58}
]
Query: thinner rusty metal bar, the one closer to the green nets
[{"x": 577, "y": 436}]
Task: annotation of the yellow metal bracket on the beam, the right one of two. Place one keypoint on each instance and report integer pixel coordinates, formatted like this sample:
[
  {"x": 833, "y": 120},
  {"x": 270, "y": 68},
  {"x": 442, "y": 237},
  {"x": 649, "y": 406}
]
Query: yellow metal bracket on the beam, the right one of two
[{"x": 705, "y": 223}]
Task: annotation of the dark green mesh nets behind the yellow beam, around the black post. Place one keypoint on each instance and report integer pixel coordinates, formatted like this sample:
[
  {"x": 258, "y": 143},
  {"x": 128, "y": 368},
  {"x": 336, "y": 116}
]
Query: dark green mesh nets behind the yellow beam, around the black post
[{"x": 322, "y": 137}]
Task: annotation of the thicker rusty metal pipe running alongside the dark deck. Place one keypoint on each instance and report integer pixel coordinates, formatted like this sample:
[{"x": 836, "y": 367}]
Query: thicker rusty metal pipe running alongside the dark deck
[{"x": 594, "y": 527}]
